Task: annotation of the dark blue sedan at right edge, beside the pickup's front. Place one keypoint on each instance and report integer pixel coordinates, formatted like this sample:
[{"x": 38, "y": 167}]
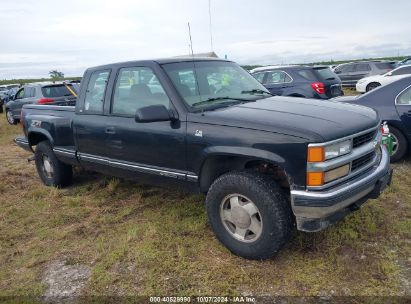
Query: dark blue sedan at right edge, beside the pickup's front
[{"x": 393, "y": 103}]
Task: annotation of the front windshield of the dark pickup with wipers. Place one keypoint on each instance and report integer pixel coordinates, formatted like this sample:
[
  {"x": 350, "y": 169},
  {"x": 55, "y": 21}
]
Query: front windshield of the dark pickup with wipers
[{"x": 204, "y": 84}]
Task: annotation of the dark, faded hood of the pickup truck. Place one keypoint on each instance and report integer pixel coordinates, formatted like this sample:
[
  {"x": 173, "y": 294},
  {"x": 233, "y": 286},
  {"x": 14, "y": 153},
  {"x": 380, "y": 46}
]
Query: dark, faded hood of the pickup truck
[{"x": 312, "y": 119}]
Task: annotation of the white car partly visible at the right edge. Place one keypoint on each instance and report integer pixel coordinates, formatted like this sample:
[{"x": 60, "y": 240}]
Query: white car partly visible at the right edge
[{"x": 368, "y": 83}]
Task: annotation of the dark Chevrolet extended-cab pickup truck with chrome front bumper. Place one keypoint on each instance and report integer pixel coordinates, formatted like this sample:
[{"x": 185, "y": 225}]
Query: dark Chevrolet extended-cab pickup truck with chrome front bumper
[{"x": 267, "y": 163}]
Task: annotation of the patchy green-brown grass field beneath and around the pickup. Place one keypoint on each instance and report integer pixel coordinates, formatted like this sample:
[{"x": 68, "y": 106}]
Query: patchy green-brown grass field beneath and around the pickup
[{"x": 149, "y": 241}]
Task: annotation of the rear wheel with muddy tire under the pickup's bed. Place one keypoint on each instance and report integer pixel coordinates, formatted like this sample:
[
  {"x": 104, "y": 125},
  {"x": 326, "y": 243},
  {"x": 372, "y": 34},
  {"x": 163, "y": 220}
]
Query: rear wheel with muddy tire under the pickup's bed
[{"x": 52, "y": 172}]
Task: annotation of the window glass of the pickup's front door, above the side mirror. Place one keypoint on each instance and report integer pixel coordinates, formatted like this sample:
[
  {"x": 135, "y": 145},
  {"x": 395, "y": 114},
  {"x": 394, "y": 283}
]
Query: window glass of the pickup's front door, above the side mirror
[{"x": 135, "y": 88}]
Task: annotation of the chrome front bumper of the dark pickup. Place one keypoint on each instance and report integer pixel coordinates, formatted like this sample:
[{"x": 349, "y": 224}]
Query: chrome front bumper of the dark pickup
[{"x": 315, "y": 210}]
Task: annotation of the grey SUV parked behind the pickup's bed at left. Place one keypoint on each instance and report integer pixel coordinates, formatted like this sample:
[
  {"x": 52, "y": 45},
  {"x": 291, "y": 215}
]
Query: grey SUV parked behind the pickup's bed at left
[{"x": 41, "y": 94}]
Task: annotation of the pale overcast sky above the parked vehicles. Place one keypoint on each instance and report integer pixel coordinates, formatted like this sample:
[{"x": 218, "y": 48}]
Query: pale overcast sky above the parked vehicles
[{"x": 43, "y": 35}]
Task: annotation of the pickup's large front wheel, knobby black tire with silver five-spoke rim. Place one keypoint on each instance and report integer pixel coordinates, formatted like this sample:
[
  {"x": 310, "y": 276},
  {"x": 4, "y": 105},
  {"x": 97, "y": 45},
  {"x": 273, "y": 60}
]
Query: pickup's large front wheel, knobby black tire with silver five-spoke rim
[{"x": 274, "y": 214}]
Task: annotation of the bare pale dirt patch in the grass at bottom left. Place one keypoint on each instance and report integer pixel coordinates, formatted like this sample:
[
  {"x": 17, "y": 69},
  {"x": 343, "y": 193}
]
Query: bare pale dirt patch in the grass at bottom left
[{"x": 65, "y": 281}]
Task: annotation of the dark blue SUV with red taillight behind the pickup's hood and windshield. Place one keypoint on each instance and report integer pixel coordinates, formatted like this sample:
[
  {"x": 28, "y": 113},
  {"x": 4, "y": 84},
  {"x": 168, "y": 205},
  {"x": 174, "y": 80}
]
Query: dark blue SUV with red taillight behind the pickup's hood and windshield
[{"x": 300, "y": 81}]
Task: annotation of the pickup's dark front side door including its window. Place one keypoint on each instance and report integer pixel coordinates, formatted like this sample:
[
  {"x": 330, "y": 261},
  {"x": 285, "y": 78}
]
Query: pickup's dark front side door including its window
[{"x": 154, "y": 147}]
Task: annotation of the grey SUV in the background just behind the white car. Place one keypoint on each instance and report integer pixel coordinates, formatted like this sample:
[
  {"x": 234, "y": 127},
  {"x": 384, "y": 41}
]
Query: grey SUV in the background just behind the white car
[{"x": 350, "y": 73}]
